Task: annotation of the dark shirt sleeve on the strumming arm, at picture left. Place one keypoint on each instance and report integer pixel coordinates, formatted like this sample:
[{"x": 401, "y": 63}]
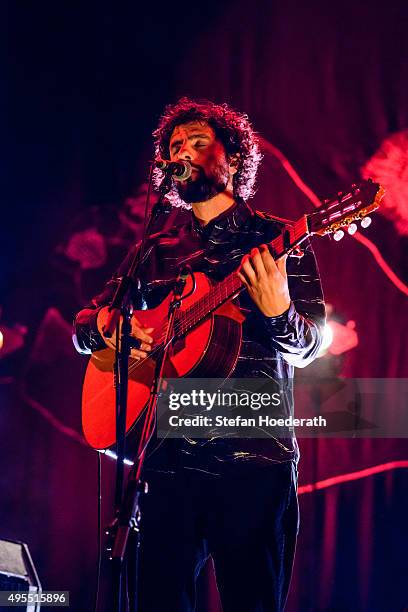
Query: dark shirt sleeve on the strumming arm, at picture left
[{"x": 86, "y": 336}]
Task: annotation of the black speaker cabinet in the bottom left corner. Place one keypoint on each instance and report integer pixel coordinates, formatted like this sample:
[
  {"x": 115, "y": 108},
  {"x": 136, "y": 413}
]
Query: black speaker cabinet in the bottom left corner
[{"x": 17, "y": 571}]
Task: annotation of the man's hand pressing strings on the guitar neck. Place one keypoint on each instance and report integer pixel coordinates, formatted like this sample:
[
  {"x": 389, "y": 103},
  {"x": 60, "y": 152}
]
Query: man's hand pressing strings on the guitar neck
[{"x": 266, "y": 281}]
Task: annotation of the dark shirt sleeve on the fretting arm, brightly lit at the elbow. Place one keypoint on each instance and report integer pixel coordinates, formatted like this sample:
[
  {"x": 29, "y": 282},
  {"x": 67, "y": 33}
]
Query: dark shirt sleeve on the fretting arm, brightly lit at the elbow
[{"x": 297, "y": 334}]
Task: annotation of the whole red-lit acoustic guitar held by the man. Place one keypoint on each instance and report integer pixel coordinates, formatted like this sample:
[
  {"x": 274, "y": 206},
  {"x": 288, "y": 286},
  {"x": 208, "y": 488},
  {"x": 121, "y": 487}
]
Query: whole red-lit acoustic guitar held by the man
[{"x": 208, "y": 326}]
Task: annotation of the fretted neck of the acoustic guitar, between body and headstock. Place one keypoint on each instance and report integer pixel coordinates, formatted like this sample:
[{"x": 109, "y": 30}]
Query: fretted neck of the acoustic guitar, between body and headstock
[{"x": 231, "y": 286}]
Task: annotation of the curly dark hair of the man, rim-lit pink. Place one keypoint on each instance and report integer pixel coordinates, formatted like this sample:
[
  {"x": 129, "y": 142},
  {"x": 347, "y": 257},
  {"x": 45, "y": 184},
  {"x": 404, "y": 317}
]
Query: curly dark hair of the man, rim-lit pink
[{"x": 232, "y": 128}]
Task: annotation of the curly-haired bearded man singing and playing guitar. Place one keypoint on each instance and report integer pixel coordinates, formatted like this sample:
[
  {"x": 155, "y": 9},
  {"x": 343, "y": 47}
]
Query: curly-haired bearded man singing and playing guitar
[{"x": 233, "y": 499}]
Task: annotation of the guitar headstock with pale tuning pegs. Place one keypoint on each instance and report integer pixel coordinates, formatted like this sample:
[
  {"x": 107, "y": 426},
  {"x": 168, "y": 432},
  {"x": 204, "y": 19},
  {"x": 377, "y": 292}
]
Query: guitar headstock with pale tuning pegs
[{"x": 342, "y": 211}]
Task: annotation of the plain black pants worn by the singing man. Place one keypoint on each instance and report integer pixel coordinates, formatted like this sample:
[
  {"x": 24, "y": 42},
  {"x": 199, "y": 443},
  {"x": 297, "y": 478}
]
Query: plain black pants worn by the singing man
[{"x": 247, "y": 521}]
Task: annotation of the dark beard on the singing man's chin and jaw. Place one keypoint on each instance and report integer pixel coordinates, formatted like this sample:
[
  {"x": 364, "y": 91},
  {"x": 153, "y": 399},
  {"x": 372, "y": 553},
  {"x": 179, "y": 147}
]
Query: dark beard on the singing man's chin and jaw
[{"x": 204, "y": 186}]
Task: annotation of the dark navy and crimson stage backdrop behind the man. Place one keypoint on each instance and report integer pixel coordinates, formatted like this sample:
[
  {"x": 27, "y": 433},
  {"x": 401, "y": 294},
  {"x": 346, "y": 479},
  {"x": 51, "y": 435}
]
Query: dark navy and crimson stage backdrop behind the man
[{"x": 85, "y": 83}]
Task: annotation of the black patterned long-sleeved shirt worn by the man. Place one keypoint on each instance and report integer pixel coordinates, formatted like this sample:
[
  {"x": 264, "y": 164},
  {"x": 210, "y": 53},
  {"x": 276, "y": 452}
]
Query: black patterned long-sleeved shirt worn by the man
[{"x": 271, "y": 346}]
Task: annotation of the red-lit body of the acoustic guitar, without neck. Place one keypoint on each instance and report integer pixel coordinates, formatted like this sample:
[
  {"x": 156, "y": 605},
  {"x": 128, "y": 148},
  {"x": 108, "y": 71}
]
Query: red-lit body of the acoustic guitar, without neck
[{"x": 210, "y": 349}]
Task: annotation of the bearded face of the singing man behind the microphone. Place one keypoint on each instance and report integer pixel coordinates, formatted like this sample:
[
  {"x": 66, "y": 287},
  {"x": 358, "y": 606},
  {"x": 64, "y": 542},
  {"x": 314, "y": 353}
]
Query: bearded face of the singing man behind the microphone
[{"x": 196, "y": 143}]
